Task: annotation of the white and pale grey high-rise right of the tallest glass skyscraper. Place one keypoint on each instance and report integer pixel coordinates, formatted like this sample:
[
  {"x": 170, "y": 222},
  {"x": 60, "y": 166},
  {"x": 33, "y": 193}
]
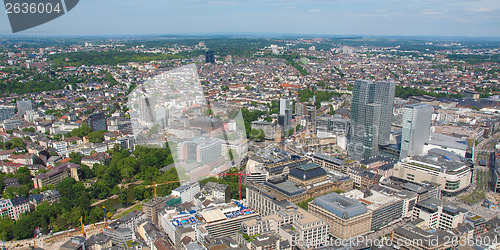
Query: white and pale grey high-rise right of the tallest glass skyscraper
[{"x": 416, "y": 129}]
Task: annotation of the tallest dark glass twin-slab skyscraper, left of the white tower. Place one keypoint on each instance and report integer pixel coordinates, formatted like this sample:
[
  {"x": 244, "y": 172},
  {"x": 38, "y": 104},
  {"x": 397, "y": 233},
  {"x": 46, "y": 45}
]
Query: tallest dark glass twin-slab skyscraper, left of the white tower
[{"x": 371, "y": 117}]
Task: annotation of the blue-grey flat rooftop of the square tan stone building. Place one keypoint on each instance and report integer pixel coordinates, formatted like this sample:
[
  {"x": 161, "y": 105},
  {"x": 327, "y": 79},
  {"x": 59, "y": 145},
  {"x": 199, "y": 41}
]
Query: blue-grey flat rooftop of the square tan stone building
[{"x": 341, "y": 206}]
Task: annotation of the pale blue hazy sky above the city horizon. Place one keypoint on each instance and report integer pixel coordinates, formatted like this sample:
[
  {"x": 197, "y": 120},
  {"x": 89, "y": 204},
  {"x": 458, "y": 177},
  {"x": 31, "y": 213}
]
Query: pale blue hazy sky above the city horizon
[{"x": 470, "y": 18}]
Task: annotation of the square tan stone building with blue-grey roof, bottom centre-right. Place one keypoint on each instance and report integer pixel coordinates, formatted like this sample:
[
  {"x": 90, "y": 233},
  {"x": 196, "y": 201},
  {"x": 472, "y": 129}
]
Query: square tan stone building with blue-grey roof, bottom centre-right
[{"x": 347, "y": 218}]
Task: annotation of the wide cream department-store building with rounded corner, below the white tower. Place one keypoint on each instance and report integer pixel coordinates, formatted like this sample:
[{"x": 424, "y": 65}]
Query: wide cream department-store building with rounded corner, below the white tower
[{"x": 453, "y": 176}]
